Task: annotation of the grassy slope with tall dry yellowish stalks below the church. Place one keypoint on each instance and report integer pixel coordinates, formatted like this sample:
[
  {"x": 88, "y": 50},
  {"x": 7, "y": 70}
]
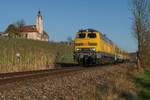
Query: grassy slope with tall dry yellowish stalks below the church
[{"x": 34, "y": 55}]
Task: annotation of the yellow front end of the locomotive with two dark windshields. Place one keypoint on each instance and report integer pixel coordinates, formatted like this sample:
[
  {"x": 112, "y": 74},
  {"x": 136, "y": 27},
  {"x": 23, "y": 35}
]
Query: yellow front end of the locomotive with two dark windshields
[{"x": 85, "y": 47}]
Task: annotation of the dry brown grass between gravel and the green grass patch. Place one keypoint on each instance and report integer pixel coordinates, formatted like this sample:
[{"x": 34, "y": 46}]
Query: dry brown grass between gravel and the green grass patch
[{"x": 117, "y": 84}]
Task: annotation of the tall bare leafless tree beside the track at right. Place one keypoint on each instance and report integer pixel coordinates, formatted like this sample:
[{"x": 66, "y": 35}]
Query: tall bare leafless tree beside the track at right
[{"x": 141, "y": 26}]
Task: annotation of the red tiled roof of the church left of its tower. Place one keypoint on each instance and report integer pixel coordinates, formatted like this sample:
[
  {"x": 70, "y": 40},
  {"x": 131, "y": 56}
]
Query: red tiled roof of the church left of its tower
[{"x": 29, "y": 28}]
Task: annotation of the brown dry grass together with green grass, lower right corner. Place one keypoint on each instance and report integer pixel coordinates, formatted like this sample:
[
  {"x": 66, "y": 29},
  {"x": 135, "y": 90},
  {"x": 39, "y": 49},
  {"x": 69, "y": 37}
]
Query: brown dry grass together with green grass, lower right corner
[{"x": 125, "y": 83}]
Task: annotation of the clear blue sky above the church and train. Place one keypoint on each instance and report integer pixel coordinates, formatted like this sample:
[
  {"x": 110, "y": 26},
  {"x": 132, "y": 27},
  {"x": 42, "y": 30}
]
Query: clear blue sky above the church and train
[{"x": 63, "y": 18}]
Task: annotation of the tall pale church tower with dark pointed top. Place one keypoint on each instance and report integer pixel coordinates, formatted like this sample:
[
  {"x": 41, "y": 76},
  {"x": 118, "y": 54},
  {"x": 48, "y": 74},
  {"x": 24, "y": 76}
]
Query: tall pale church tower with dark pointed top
[{"x": 39, "y": 23}]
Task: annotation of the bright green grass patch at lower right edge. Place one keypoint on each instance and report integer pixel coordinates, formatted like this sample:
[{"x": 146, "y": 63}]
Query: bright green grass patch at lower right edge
[{"x": 143, "y": 83}]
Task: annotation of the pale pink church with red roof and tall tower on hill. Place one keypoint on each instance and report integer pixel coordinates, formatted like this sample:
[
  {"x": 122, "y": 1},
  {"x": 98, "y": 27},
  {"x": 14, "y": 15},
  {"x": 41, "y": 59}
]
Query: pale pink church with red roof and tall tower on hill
[{"x": 35, "y": 32}]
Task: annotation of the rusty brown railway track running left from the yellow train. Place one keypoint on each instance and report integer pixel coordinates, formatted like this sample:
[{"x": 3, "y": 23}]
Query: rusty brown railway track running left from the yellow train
[{"x": 21, "y": 76}]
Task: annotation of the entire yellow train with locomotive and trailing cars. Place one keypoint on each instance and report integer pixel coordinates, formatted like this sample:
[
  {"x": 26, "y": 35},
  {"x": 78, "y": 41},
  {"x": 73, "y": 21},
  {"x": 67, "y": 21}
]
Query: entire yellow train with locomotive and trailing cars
[{"x": 92, "y": 47}]
